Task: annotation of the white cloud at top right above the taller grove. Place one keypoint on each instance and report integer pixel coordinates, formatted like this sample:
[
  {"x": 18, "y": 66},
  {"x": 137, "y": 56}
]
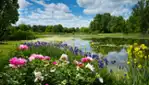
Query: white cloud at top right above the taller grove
[{"x": 115, "y": 7}]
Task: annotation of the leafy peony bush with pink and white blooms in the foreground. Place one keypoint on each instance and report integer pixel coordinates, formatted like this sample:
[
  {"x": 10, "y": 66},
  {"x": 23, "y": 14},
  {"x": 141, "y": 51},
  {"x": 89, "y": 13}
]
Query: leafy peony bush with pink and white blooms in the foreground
[{"x": 44, "y": 70}]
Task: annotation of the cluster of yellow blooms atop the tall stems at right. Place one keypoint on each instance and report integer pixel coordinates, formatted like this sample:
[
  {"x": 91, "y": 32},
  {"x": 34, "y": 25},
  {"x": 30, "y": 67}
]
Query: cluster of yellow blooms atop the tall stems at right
[{"x": 137, "y": 55}]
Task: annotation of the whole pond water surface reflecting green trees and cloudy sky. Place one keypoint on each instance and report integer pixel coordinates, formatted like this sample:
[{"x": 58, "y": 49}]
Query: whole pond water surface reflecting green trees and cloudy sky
[{"x": 114, "y": 49}]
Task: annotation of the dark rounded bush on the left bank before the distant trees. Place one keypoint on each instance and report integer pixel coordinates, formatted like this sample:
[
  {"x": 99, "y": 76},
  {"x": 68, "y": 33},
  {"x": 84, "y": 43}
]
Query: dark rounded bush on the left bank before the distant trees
[{"x": 22, "y": 35}]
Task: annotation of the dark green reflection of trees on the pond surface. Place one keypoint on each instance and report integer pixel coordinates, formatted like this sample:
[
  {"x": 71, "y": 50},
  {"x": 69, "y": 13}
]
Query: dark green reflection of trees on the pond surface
[{"x": 103, "y": 45}]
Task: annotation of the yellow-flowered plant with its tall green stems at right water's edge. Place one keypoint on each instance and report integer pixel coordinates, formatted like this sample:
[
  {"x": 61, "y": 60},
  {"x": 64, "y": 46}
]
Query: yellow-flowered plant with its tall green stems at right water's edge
[{"x": 138, "y": 64}]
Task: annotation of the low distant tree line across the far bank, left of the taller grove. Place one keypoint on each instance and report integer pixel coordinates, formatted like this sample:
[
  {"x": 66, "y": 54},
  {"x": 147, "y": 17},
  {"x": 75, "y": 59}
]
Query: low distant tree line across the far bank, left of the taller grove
[{"x": 48, "y": 29}]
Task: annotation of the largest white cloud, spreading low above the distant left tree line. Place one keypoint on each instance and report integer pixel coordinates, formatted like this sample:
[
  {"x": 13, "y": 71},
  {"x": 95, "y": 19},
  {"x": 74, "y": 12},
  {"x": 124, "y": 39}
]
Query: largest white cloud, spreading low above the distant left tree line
[{"x": 53, "y": 14}]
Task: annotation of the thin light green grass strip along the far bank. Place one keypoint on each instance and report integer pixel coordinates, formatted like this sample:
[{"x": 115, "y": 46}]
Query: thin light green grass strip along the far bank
[{"x": 101, "y": 35}]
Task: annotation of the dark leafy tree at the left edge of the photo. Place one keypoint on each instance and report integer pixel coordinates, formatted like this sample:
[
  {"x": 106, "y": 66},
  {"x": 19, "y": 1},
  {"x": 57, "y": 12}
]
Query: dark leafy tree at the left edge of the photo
[{"x": 8, "y": 15}]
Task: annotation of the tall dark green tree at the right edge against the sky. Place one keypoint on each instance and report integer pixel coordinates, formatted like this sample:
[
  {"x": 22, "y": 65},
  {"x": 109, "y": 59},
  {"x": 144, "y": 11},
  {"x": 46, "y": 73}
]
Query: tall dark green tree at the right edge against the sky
[{"x": 140, "y": 15}]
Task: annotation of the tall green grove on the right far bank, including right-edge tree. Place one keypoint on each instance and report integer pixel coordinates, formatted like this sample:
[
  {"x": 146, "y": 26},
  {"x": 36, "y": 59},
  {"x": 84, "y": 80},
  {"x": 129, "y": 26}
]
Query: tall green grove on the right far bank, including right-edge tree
[{"x": 138, "y": 22}]
